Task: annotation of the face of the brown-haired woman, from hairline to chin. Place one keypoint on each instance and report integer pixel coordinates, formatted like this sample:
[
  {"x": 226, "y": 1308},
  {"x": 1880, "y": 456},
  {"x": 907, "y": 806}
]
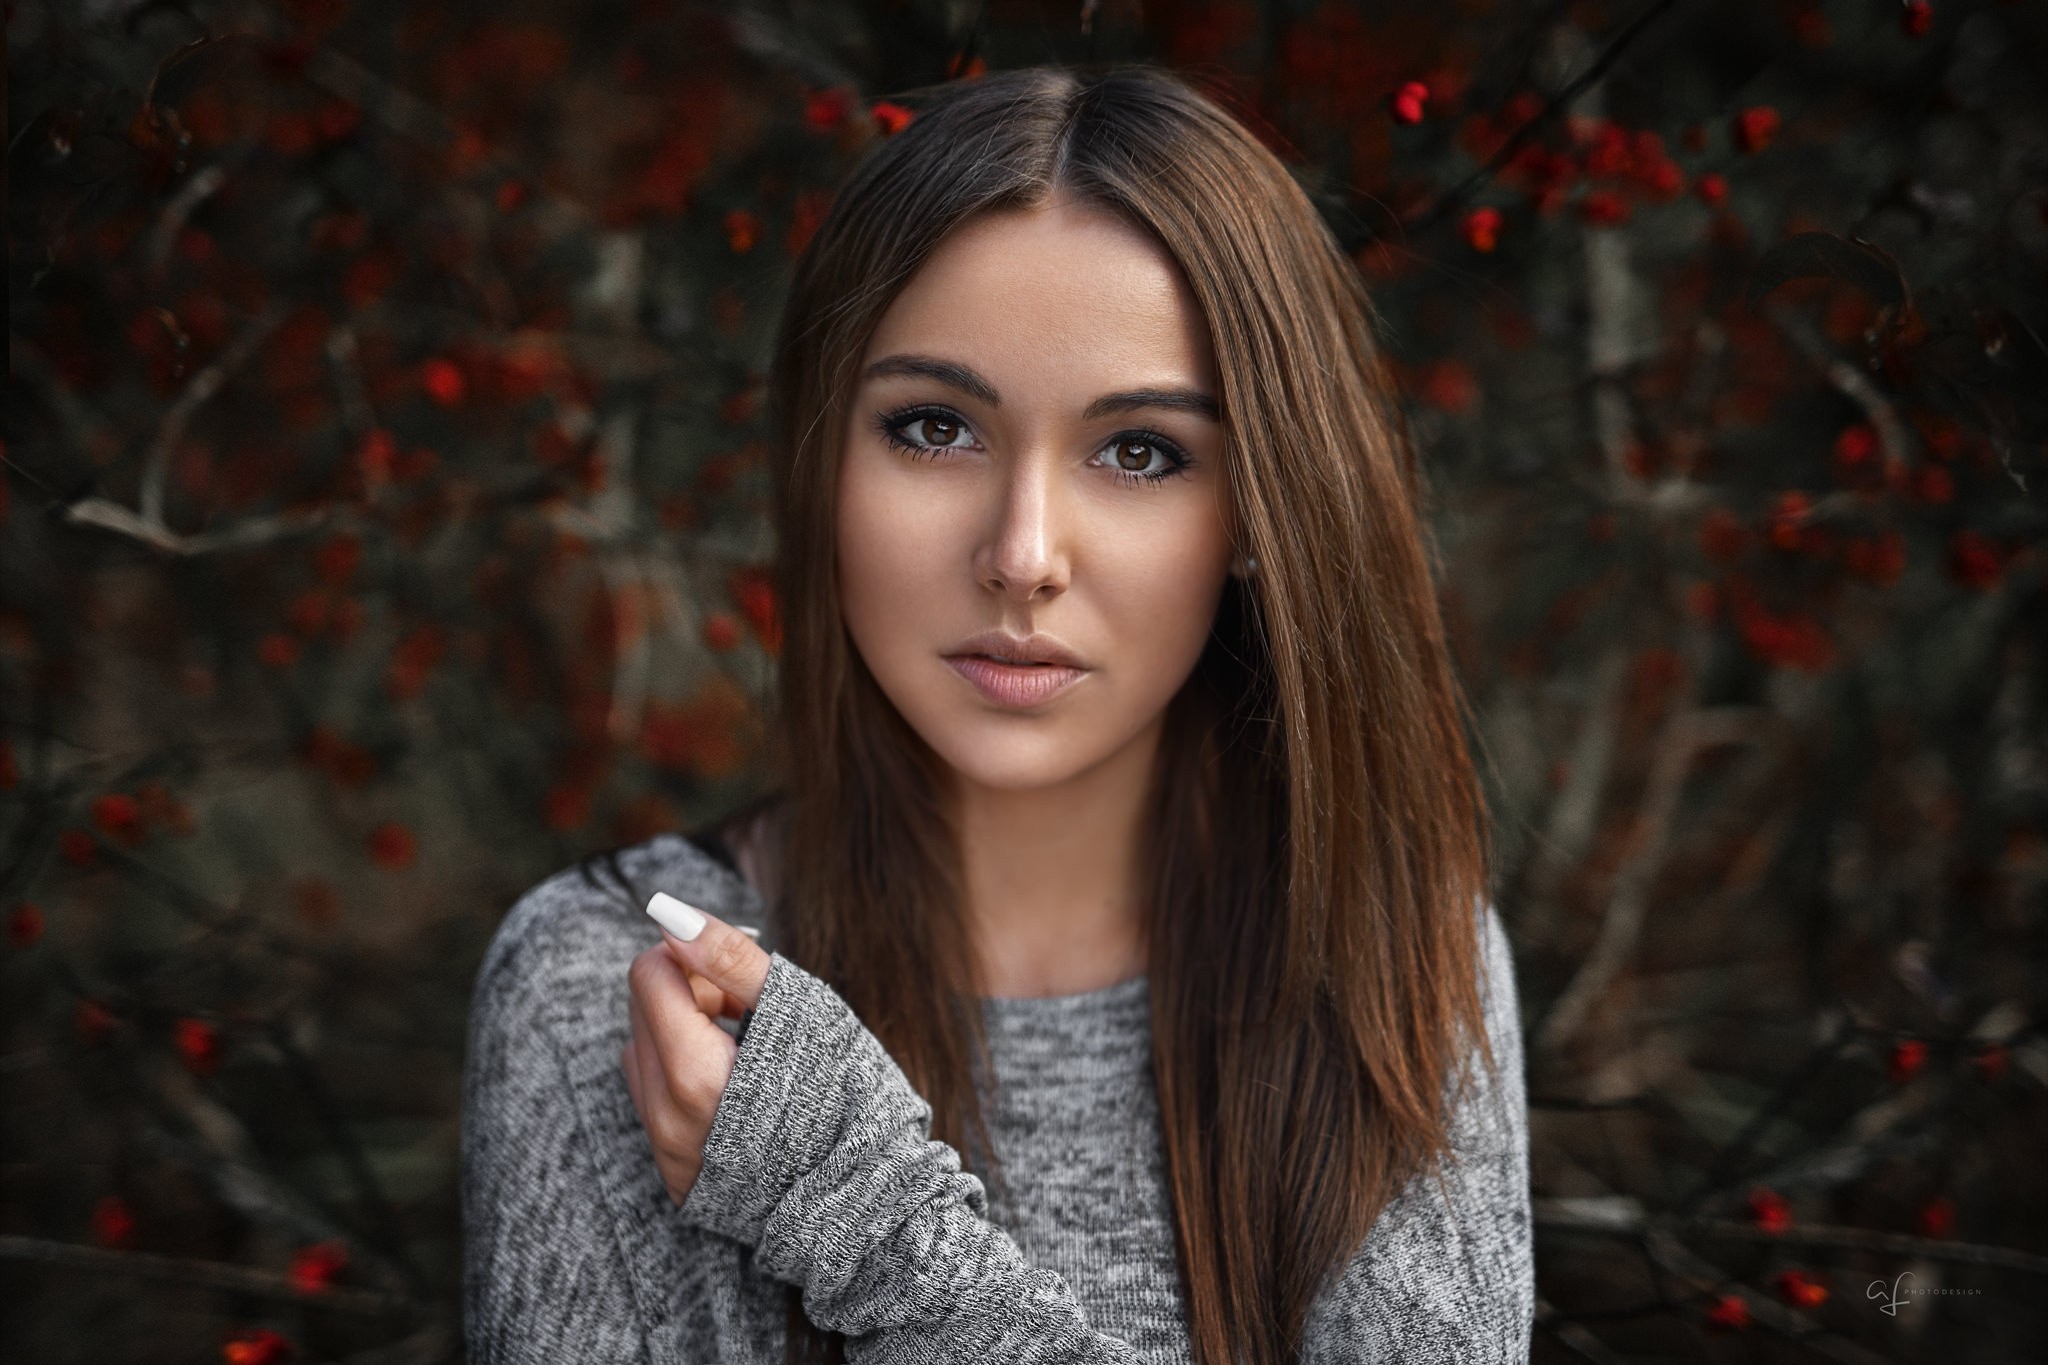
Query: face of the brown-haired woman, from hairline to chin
[{"x": 1035, "y": 449}]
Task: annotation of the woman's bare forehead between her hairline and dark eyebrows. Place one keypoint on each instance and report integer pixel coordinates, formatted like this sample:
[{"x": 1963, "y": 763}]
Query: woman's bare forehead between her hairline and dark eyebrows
[{"x": 1062, "y": 294}]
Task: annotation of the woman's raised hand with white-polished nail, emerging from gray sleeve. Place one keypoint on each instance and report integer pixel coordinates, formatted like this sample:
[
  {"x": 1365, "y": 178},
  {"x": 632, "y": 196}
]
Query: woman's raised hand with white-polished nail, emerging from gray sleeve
[{"x": 679, "y": 1059}]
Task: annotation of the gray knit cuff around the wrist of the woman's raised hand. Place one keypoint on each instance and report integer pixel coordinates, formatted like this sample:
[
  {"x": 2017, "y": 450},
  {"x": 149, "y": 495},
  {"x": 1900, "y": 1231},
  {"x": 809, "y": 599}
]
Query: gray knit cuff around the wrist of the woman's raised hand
[{"x": 810, "y": 1082}]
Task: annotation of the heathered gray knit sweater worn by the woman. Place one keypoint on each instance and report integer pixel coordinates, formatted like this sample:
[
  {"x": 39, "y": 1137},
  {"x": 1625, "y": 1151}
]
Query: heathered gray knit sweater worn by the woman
[{"x": 820, "y": 1174}]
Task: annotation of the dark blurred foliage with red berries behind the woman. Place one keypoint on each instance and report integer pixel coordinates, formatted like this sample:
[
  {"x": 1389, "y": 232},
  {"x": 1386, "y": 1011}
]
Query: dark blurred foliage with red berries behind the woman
[{"x": 386, "y": 525}]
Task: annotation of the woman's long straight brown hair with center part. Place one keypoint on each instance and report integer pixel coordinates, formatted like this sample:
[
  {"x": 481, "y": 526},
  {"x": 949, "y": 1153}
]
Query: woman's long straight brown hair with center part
[{"x": 1318, "y": 836}]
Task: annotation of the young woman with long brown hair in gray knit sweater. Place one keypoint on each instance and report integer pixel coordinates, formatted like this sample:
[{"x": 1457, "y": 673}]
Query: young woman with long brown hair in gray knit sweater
[{"x": 1136, "y": 1006}]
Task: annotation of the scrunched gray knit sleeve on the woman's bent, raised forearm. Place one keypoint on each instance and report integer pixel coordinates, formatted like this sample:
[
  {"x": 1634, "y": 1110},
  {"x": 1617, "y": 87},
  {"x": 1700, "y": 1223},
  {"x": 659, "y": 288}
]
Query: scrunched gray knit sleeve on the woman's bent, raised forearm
[{"x": 820, "y": 1157}]
